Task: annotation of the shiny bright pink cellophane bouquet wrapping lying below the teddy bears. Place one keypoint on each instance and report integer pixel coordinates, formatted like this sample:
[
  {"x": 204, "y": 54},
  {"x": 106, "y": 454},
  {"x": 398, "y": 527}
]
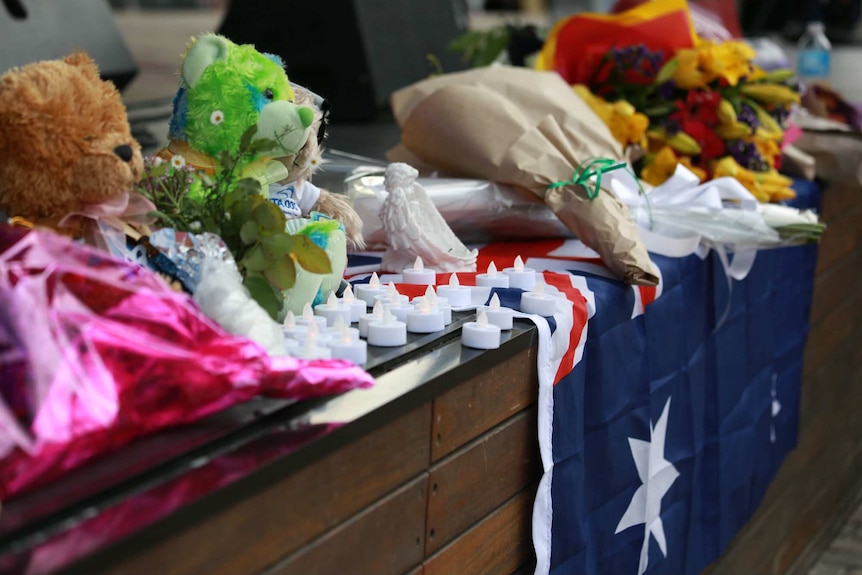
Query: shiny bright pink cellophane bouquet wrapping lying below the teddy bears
[{"x": 95, "y": 351}]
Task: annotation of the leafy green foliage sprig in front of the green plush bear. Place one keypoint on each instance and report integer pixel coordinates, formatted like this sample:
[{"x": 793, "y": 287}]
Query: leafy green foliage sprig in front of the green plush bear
[{"x": 234, "y": 208}]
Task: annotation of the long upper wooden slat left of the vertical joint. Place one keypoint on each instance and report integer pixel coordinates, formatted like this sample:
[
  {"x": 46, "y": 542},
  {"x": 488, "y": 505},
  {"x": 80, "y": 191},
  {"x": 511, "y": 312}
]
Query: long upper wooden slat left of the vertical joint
[{"x": 272, "y": 522}]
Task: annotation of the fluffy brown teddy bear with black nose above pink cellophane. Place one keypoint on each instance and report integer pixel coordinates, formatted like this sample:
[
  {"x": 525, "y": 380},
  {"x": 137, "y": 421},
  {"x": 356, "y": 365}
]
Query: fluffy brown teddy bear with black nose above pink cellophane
[{"x": 65, "y": 142}]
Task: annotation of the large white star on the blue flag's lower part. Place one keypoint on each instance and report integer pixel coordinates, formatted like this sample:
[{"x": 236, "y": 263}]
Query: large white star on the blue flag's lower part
[{"x": 657, "y": 475}]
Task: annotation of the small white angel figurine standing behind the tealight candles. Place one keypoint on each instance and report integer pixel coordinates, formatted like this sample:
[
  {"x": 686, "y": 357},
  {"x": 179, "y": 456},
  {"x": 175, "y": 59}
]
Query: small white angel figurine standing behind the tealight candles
[{"x": 414, "y": 227}]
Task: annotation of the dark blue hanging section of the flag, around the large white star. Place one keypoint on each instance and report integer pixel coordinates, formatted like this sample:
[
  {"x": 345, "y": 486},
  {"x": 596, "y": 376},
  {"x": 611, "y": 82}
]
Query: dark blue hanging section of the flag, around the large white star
[{"x": 723, "y": 359}]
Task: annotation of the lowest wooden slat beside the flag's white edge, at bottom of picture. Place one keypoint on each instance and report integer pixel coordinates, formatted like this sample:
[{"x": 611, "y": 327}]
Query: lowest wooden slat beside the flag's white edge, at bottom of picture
[{"x": 501, "y": 543}]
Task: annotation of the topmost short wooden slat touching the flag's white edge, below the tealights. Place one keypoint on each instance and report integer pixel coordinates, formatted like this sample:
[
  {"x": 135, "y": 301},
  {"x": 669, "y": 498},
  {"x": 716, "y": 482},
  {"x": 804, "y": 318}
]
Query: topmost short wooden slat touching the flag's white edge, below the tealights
[{"x": 470, "y": 409}]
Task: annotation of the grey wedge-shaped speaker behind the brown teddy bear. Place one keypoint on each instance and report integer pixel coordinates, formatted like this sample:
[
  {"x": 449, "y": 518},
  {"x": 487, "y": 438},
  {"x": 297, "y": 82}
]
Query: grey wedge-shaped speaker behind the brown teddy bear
[{"x": 33, "y": 30}]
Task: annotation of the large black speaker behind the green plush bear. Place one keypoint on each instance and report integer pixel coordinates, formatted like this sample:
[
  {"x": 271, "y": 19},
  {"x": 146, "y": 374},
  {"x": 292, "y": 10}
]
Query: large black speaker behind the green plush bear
[{"x": 354, "y": 53}]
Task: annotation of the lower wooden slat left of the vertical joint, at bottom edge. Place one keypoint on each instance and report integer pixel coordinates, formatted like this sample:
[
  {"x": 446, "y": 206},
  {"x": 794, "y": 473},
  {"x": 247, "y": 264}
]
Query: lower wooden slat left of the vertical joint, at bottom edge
[{"x": 384, "y": 539}]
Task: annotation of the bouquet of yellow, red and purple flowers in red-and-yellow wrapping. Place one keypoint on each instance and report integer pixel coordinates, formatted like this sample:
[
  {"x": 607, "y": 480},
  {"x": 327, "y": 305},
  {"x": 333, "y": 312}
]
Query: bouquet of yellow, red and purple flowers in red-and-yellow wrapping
[{"x": 676, "y": 97}]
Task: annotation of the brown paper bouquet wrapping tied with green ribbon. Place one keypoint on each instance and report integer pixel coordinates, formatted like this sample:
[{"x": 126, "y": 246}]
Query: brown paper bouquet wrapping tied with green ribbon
[{"x": 527, "y": 129}]
